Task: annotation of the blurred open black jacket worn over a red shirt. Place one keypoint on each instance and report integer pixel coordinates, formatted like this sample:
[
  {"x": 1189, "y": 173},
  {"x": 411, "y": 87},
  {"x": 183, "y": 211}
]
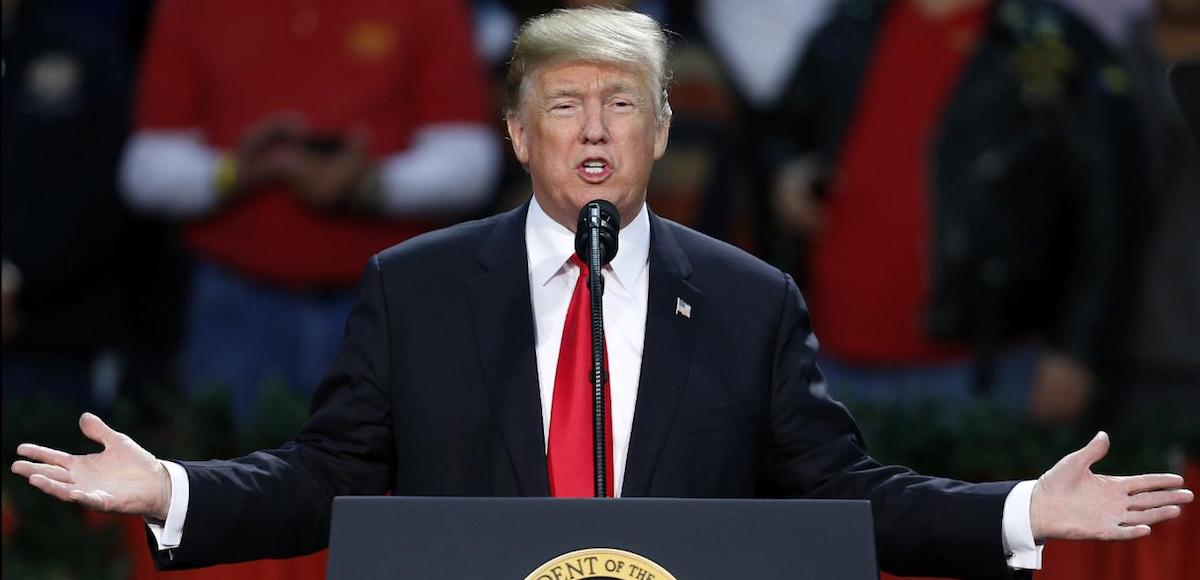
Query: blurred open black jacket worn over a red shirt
[{"x": 1030, "y": 182}]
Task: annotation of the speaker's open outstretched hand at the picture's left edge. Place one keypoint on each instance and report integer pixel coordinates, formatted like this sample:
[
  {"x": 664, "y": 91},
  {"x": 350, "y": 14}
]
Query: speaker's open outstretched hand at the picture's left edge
[{"x": 123, "y": 479}]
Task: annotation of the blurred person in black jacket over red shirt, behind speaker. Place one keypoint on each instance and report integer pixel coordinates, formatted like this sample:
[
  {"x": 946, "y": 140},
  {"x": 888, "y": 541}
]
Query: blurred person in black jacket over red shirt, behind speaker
[{"x": 957, "y": 168}]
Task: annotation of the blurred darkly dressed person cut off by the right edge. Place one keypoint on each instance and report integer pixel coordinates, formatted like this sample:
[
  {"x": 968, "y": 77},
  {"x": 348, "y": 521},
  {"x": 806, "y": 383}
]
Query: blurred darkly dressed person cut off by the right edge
[{"x": 1165, "y": 344}]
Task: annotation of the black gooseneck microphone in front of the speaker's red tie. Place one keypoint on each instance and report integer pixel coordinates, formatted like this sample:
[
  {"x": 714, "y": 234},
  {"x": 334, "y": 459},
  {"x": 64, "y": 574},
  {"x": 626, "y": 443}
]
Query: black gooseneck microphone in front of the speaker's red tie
[{"x": 596, "y": 243}]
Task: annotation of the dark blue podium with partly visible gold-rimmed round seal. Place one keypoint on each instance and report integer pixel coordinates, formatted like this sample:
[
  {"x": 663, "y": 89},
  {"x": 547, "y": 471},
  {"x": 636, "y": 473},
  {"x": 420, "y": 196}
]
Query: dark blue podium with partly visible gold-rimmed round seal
[{"x": 517, "y": 539}]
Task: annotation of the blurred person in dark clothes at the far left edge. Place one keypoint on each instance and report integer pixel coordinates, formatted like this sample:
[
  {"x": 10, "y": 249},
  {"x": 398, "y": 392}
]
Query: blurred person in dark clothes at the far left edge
[{"x": 91, "y": 291}]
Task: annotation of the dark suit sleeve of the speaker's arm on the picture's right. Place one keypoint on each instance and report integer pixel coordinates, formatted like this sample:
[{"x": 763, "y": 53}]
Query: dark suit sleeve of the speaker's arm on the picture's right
[{"x": 923, "y": 525}]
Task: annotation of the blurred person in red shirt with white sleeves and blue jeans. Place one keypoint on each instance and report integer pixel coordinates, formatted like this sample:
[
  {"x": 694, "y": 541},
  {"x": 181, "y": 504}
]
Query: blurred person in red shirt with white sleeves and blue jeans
[{"x": 295, "y": 140}]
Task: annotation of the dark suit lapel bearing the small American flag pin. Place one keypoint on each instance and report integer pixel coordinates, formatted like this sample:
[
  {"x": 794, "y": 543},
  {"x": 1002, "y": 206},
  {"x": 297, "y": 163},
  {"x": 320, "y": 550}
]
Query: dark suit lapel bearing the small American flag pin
[{"x": 665, "y": 358}]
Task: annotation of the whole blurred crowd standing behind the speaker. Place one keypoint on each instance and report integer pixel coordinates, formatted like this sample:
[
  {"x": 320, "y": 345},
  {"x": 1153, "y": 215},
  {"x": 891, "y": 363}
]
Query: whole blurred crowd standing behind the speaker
[{"x": 982, "y": 200}]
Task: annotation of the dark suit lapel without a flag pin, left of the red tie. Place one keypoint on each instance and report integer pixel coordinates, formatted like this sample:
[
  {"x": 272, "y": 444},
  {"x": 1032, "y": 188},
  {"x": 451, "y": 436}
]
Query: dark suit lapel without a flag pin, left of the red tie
[{"x": 505, "y": 333}]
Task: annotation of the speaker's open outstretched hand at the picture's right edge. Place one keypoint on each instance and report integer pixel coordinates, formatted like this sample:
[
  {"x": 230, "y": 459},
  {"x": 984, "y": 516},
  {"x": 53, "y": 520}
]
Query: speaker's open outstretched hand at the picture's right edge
[{"x": 1071, "y": 503}]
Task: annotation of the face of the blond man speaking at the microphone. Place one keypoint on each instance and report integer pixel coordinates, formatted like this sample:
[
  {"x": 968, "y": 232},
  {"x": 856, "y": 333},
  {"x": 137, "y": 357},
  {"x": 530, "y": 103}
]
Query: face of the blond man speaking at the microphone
[{"x": 587, "y": 131}]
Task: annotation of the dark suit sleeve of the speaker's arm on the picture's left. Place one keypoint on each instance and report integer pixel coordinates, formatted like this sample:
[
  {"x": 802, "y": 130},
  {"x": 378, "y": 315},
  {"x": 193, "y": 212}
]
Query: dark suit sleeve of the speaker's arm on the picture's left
[{"x": 277, "y": 504}]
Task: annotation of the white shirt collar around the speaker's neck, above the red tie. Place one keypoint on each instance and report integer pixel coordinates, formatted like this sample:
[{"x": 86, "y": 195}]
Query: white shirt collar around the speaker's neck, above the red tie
[{"x": 550, "y": 246}]
